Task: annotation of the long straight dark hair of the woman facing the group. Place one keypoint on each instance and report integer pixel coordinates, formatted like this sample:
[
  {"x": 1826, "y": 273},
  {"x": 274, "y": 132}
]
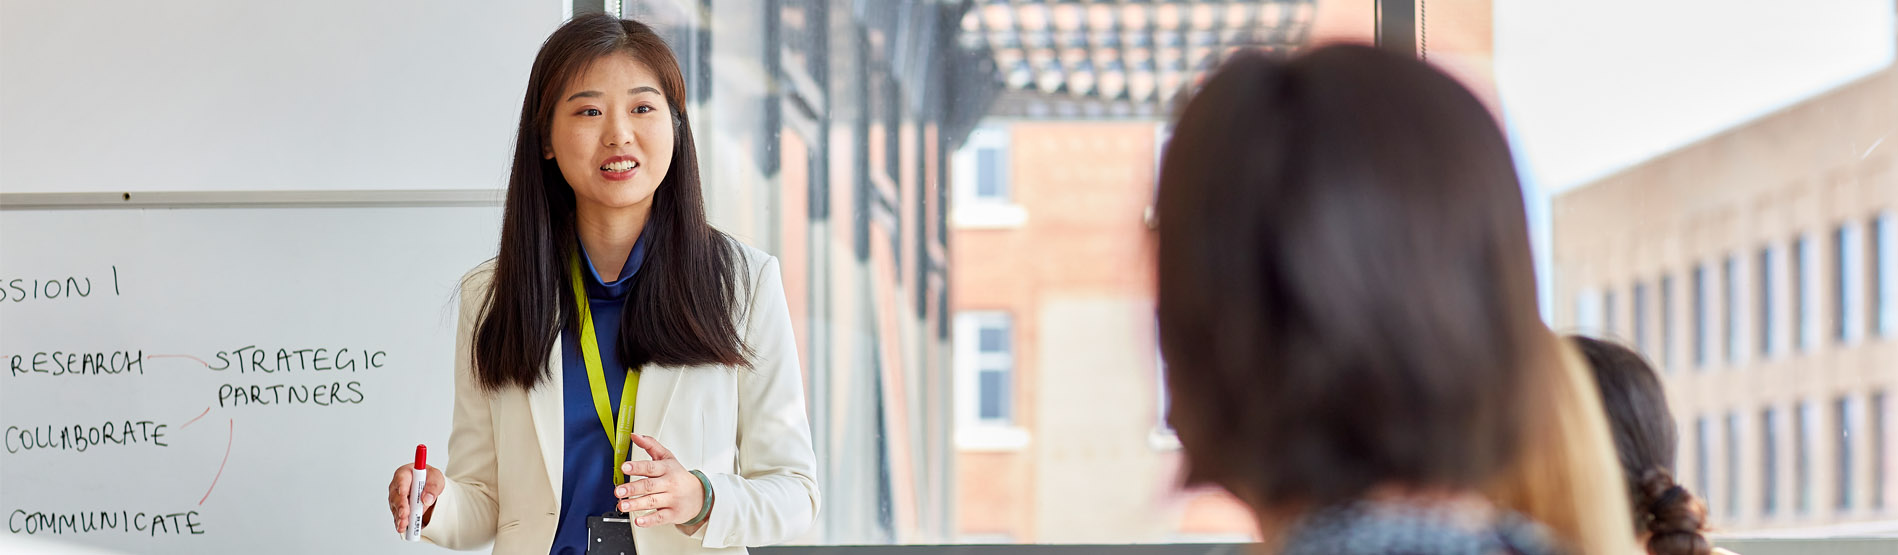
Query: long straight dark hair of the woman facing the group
[{"x": 682, "y": 301}]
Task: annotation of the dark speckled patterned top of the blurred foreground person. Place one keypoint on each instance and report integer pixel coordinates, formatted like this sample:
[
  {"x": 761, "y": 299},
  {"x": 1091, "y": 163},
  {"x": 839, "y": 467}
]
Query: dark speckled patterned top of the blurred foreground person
[{"x": 1419, "y": 529}]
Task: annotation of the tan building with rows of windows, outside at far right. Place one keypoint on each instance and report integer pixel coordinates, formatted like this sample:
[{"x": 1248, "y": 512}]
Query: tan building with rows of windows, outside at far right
[{"x": 1758, "y": 271}]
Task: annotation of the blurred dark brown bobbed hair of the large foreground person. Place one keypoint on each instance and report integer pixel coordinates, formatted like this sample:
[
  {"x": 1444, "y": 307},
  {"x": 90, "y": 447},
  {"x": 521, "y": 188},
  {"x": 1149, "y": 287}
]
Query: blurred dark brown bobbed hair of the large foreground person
[{"x": 1347, "y": 296}]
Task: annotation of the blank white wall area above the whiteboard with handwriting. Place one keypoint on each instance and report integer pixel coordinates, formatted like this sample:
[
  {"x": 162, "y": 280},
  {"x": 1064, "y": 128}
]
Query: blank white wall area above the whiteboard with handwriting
[{"x": 263, "y": 96}]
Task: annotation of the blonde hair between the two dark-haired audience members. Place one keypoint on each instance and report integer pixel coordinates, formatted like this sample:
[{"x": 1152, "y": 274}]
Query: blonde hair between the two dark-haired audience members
[{"x": 1567, "y": 474}]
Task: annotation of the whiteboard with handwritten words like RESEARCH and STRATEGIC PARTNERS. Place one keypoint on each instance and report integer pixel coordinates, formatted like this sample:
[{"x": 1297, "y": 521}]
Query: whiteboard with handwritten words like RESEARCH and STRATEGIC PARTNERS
[{"x": 172, "y": 297}]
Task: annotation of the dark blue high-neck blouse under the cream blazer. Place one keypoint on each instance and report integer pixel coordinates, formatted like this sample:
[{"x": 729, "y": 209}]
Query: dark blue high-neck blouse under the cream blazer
[{"x": 587, "y": 474}]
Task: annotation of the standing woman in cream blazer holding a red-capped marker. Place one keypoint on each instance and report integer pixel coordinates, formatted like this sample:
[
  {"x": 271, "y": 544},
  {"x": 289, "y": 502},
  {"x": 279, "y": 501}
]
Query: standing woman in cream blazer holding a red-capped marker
[{"x": 620, "y": 354}]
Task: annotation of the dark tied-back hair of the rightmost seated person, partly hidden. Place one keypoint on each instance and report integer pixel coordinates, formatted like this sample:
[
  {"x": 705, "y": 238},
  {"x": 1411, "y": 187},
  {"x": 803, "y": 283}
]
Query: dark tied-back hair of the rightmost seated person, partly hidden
[{"x": 1645, "y": 444}]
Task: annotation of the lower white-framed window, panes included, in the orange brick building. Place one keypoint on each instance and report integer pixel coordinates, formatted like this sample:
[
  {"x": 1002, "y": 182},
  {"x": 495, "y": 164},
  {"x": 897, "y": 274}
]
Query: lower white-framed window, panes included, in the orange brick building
[{"x": 986, "y": 389}]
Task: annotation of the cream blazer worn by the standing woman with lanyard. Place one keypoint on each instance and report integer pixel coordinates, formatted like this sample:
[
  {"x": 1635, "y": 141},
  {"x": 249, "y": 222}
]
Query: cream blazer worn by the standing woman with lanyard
[{"x": 745, "y": 429}]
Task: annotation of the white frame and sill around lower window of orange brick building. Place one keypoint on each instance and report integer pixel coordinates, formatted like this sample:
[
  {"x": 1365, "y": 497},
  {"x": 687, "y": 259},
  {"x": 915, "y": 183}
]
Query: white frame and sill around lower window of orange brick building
[{"x": 975, "y": 432}]
